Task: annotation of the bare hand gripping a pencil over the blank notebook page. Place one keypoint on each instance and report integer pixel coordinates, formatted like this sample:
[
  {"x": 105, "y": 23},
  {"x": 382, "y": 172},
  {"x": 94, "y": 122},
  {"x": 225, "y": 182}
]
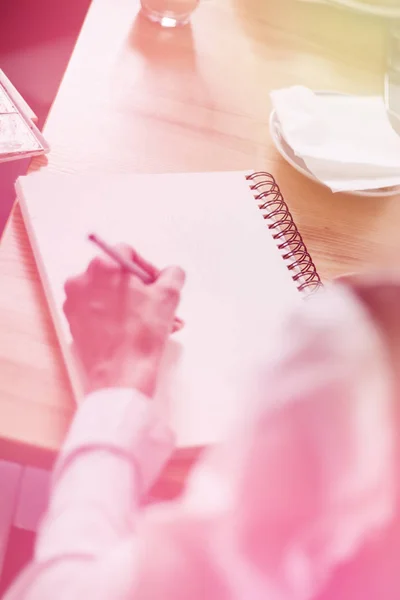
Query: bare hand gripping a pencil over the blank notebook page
[{"x": 120, "y": 324}]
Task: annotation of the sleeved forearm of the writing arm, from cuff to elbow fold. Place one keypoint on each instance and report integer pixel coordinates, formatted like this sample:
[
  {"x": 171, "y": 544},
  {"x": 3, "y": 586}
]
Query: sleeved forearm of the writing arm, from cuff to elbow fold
[{"x": 114, "y": 451}]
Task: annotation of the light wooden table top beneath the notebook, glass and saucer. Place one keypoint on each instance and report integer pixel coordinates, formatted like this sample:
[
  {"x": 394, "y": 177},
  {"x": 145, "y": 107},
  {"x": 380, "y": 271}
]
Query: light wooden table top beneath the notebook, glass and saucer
[{"x": 136, "y": 98}]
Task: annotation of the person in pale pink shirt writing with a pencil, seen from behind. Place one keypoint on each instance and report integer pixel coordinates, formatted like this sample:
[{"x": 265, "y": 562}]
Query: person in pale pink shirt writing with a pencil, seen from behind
[{"x": 301, "y": 502}]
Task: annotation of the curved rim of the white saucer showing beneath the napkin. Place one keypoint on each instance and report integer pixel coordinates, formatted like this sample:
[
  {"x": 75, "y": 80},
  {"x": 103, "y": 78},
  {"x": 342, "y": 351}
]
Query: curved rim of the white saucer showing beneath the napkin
[{"x": 298, "y": 163}]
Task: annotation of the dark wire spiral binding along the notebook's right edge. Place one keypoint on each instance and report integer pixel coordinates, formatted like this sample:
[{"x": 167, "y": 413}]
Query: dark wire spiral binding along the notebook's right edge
[{"x": 275, "y": 209}]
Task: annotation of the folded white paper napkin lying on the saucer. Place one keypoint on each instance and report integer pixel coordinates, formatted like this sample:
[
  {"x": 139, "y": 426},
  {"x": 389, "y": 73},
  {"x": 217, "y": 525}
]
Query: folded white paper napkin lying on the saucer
[{"x": 347, "y": 142}]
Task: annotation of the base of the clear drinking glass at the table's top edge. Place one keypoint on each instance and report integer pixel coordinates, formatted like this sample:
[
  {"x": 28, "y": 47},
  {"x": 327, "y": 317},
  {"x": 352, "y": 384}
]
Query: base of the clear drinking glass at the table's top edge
[{"x": 169, "y": 13}]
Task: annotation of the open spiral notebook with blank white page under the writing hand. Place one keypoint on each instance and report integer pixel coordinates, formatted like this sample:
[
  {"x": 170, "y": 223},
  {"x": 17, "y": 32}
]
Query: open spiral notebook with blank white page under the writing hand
[{"x": 244, "y": 258}]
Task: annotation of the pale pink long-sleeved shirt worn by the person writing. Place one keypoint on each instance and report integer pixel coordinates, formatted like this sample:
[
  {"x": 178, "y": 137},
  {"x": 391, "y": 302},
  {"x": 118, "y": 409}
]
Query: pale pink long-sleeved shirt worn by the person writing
[{"x": 297, "y": 489}]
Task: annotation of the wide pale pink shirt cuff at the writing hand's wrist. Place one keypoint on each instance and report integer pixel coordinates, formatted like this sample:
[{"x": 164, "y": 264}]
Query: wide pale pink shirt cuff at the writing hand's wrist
[{"x": 123, "y": 420}]
